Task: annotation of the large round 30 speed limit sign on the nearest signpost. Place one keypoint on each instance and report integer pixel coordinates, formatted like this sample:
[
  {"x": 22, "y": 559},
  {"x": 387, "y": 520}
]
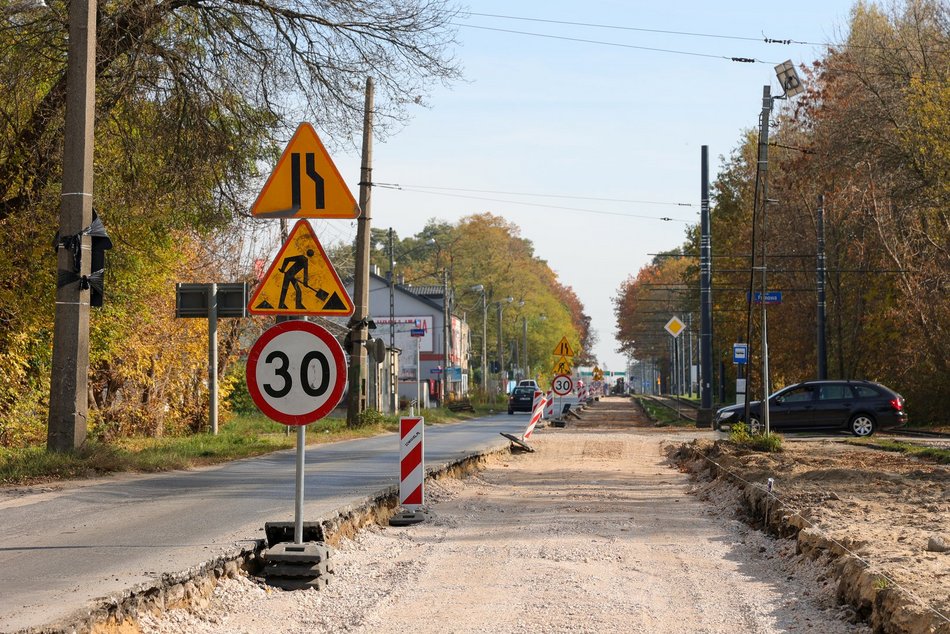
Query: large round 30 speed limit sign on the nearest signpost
[{"x": 296, "y": 372}]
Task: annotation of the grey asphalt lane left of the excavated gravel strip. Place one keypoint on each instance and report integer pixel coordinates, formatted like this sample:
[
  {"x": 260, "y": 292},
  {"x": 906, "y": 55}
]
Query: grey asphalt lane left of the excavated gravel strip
[{"x": 63, "y": 548}]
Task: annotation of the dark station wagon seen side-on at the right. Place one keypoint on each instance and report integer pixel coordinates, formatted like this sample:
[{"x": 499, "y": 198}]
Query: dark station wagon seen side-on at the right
[{"x": 860, "y": 407}]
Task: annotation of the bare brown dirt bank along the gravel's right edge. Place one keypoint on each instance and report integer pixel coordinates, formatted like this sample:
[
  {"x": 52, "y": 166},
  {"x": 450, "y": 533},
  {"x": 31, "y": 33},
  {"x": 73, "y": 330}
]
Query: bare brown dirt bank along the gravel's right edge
[{"x": 880, "y": 521}]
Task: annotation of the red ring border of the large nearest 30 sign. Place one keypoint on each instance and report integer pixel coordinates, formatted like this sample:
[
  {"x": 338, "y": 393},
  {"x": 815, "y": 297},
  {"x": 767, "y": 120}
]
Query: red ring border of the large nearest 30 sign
[{"x": 251, "y": 372}]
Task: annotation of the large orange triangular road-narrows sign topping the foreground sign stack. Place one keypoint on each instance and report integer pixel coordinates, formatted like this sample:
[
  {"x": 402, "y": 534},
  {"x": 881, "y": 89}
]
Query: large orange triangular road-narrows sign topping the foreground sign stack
[{"x": 305, "y": 183}]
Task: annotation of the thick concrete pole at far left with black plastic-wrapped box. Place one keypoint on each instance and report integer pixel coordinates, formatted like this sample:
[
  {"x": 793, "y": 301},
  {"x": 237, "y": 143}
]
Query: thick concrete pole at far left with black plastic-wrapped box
[{"x": 69, "y": 403}]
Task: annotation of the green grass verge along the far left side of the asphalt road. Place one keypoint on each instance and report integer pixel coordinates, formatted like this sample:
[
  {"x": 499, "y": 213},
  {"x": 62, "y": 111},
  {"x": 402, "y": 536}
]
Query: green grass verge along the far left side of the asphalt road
[{"x": 243, "y": 436}]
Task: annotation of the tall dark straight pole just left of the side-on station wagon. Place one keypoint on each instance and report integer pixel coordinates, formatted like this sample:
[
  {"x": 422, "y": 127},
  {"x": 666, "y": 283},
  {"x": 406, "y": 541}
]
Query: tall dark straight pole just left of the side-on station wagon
[{"x": 704, "y": 419}]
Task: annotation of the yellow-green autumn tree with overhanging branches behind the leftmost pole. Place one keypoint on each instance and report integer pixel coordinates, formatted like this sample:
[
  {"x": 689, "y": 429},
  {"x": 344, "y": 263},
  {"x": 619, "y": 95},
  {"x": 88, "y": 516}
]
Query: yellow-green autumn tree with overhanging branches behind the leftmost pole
[{"x": 191, "y": 98}]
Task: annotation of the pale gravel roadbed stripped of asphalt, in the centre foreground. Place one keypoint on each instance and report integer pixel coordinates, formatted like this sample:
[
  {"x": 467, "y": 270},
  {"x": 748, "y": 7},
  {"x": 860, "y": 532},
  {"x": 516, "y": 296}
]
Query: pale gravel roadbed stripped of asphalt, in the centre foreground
[{"x": 595, "y": 532}]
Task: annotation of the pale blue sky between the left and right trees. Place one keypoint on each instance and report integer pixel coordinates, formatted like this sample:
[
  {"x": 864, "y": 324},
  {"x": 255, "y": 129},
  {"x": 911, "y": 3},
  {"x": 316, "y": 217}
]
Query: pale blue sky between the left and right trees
[{"x": 570, "y": 122}]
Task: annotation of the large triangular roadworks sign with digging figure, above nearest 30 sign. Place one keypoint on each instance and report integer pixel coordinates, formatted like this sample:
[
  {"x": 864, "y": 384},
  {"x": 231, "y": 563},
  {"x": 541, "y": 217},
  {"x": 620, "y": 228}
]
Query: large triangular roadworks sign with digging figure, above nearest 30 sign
[{"x": 301, "y": 280}]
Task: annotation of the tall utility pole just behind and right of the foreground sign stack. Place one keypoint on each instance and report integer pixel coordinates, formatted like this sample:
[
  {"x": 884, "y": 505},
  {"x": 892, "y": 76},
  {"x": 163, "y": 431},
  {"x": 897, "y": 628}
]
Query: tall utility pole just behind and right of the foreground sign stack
[{"x": 359, "y": 332}]
